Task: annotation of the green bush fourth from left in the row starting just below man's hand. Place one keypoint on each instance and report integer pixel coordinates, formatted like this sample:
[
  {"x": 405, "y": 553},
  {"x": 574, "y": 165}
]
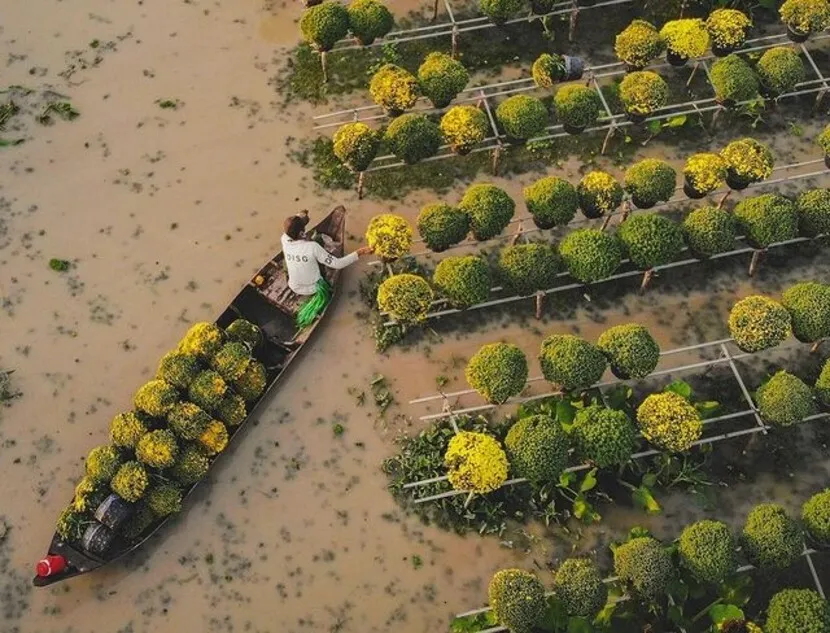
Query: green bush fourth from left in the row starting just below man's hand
[{"x": 590, "y": 254}]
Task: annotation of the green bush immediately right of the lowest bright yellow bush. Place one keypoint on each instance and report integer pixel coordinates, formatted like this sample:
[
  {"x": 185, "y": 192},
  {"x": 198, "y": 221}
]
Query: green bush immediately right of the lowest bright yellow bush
[{"x": 537, "y": 448}]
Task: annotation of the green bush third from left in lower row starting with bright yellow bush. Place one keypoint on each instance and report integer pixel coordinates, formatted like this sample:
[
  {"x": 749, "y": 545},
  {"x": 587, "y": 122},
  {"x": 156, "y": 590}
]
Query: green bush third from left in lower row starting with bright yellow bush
[{"x": 604, "y": 437}]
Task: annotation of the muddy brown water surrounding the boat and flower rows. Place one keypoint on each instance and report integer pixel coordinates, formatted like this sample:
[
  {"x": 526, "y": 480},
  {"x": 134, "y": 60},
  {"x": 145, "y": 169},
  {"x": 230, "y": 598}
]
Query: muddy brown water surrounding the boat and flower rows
[{"x": 164, "y": 214}]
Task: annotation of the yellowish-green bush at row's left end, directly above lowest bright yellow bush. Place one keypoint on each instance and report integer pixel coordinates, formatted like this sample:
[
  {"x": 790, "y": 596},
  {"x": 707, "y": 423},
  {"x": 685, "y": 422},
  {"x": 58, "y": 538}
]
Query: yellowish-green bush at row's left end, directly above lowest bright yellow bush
[{"x": 497, "y": 371}]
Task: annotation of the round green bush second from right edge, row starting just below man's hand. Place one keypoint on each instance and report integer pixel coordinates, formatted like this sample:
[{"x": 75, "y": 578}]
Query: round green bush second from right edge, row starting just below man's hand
[{"x": 767, "y": 219}]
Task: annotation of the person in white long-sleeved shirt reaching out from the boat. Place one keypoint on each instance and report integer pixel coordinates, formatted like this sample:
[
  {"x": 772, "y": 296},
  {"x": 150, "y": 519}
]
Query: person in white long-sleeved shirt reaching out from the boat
[{"x": 303, "y": 257}]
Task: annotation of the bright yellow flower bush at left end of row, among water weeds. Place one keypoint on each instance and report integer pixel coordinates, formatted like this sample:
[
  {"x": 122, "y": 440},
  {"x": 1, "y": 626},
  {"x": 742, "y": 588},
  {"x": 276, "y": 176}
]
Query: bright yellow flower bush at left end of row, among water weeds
[{"x": 476, "y": 462}]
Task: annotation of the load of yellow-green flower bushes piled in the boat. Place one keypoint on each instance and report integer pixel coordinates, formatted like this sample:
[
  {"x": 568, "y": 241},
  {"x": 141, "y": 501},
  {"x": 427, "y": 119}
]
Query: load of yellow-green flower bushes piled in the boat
[{"x": 181, "y": 420}]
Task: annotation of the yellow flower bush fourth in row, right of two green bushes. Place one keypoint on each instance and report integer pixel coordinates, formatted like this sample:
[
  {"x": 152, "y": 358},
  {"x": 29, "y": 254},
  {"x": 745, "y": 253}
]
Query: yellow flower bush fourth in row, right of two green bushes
[{"x": 669, "y": 421}]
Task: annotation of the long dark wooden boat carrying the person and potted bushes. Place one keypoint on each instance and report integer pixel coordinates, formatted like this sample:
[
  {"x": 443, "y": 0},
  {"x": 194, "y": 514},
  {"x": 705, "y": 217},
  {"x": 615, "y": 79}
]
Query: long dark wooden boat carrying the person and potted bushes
[{"x": 267, "y": 302}]
